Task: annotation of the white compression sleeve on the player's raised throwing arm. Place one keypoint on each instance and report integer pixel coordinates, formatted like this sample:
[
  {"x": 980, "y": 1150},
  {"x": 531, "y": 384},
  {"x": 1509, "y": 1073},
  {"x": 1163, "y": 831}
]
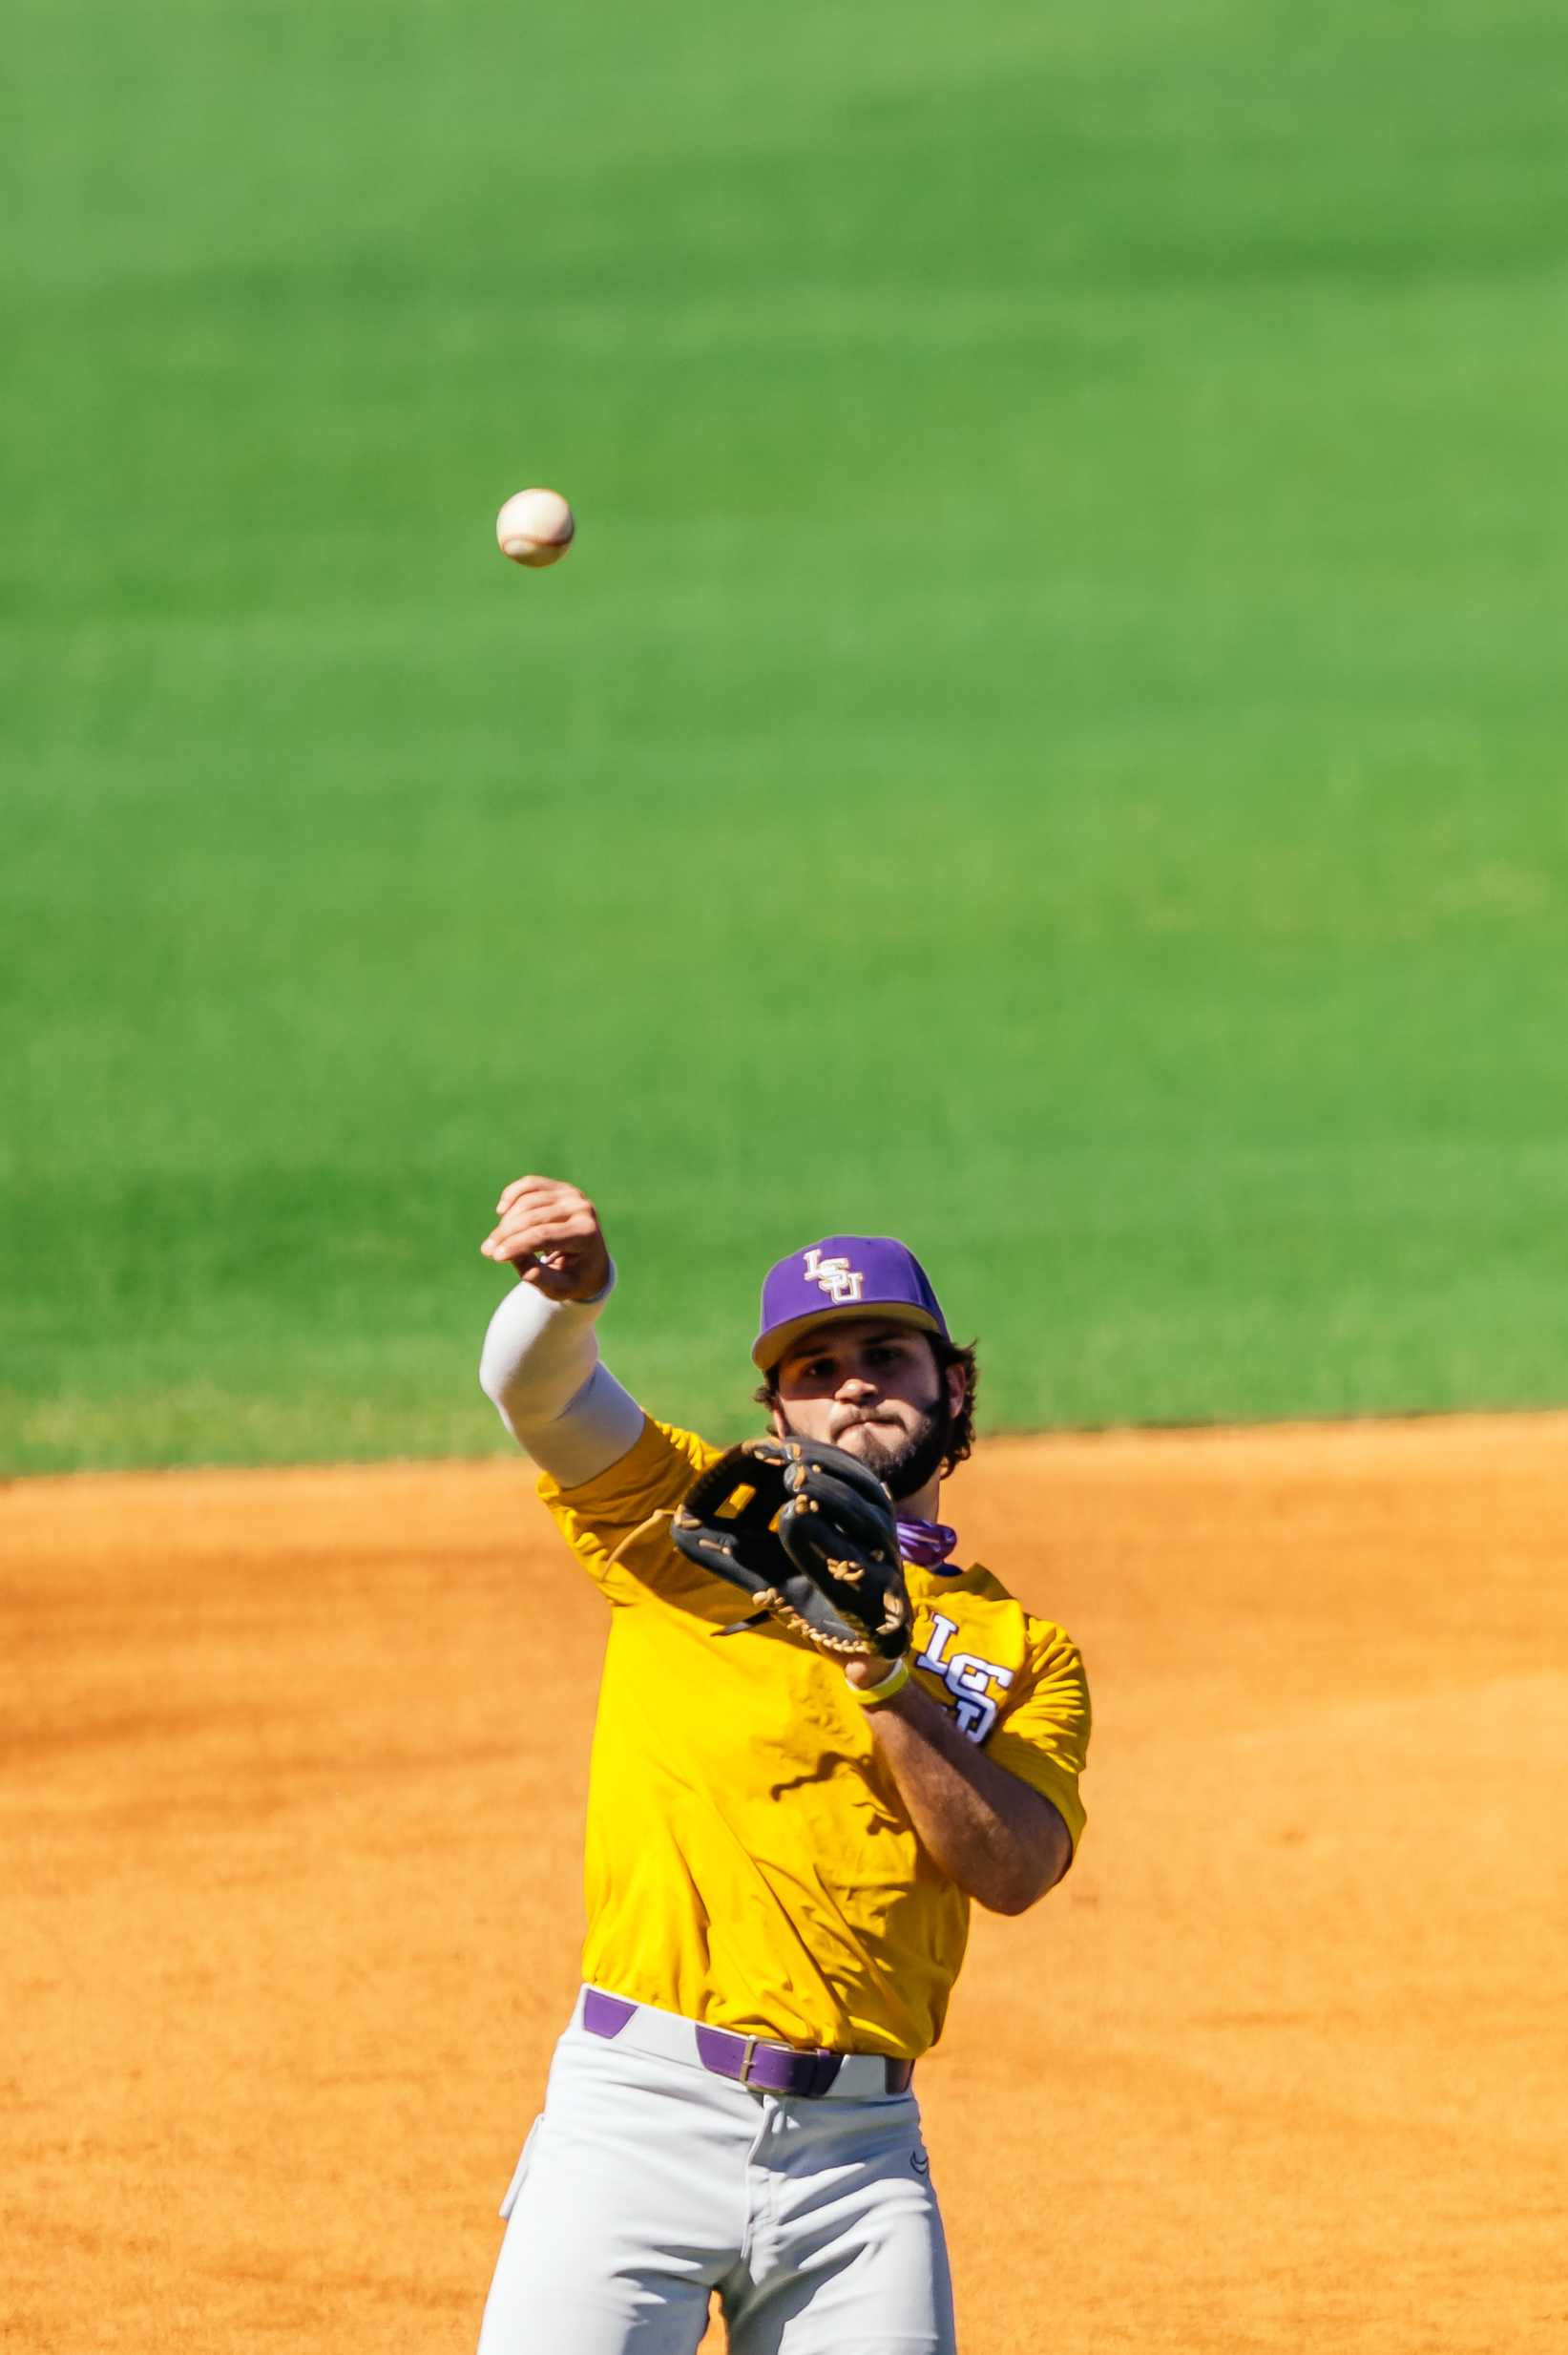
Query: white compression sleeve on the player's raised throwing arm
[{"x": 550, "y": 1388}]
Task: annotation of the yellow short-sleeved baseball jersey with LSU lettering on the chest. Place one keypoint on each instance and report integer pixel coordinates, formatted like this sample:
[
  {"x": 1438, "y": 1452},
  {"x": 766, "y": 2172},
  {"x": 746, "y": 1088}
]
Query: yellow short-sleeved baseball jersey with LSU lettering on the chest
[{"x": 750, "y": 1859}]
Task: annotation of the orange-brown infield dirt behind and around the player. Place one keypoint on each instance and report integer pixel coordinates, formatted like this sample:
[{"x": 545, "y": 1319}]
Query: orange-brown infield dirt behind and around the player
[{"x": 293, "y": 1810}]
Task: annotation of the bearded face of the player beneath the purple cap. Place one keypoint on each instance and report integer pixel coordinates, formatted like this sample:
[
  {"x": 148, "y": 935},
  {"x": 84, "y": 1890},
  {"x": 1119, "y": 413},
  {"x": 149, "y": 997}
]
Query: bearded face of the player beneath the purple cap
[{"x": 875, "y": 1391}]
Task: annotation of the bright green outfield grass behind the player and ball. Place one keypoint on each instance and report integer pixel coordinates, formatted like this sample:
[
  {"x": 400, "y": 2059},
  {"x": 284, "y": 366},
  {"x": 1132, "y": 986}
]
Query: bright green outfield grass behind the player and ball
[{"x": 1051, "y": 738}]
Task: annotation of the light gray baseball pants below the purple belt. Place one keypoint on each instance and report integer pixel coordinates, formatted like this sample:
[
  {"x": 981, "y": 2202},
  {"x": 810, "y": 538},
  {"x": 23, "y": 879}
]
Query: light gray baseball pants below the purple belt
[{"x": 649, "y": 2184}]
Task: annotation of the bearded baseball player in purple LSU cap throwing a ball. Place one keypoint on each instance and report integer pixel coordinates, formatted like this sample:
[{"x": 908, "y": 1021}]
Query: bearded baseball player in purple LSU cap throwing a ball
[{"x": 783, "y": 1845}]
